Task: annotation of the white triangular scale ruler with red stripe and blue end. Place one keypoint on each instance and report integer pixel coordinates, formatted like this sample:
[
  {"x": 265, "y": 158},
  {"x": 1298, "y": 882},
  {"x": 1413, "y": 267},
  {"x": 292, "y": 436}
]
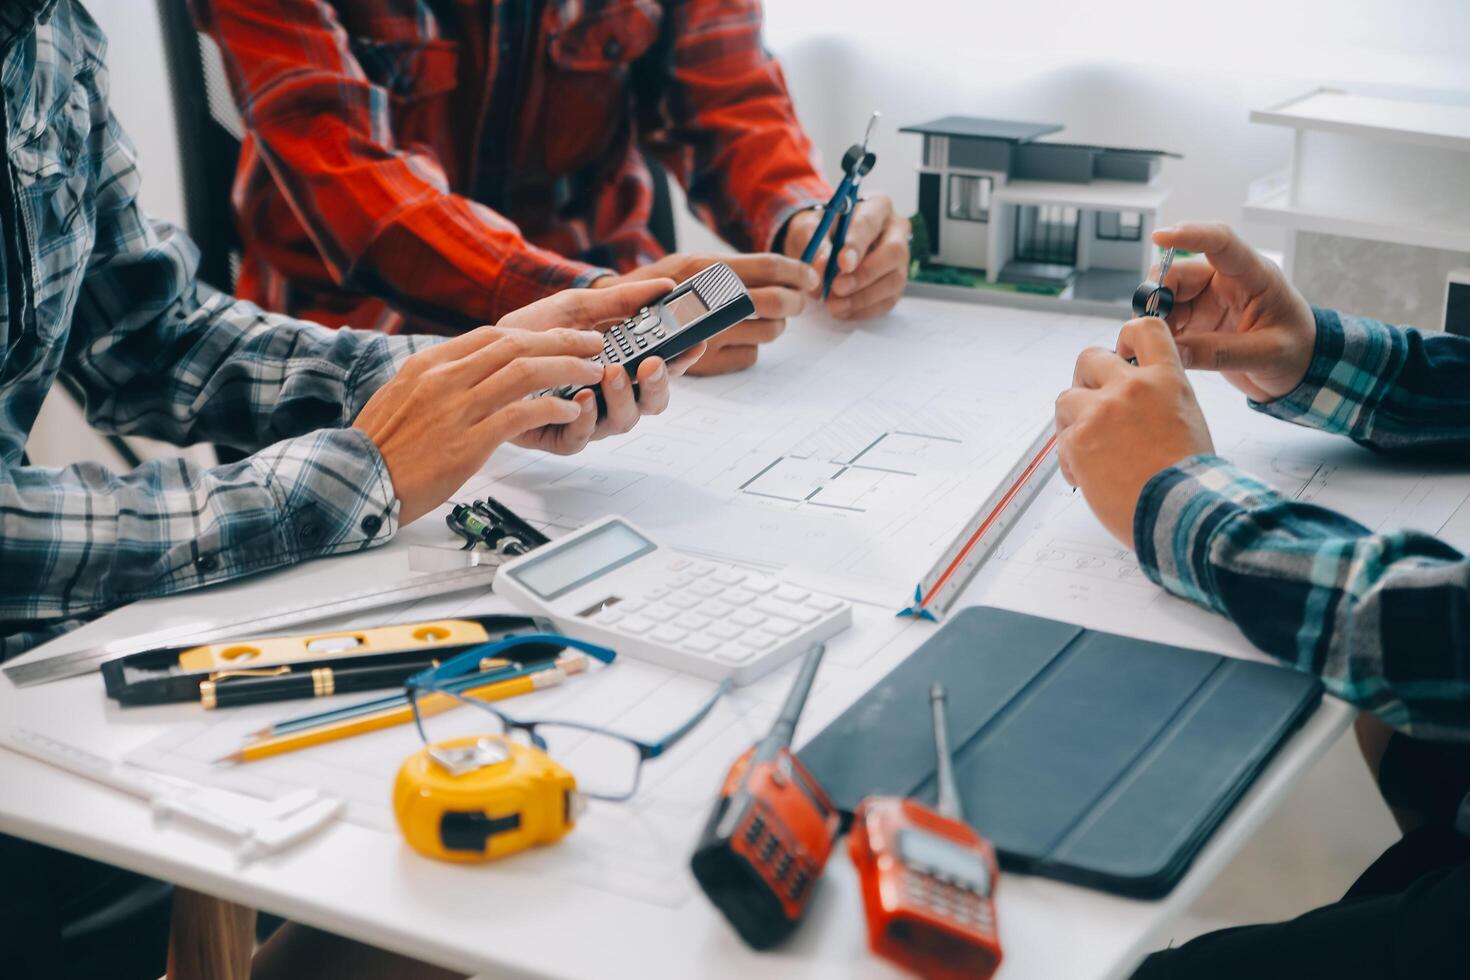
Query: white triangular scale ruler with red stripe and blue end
[{"x": 977, "y": 543}]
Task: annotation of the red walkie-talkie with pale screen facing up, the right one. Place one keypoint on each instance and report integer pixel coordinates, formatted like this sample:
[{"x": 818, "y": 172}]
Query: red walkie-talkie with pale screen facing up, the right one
[{"x": 928, "y": 879}]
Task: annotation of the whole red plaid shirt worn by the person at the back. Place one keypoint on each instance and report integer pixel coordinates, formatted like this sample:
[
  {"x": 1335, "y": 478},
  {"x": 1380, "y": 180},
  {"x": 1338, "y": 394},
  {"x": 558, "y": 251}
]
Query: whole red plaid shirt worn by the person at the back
[{"x": 380, "y": 187}]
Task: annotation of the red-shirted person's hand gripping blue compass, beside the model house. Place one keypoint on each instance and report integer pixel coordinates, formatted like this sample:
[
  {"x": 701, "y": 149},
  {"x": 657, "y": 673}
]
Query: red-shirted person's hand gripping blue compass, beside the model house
[{"x": 874, "y": 265}]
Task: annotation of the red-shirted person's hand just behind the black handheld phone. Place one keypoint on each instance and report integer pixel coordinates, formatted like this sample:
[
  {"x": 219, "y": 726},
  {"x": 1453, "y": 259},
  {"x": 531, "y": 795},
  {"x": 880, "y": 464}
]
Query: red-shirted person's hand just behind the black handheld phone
[{"x": 778, "y": 286}]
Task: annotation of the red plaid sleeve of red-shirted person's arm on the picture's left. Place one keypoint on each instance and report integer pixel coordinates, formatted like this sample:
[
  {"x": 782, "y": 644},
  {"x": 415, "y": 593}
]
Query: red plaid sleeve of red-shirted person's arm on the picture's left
[{"x": 380, "y": 214}]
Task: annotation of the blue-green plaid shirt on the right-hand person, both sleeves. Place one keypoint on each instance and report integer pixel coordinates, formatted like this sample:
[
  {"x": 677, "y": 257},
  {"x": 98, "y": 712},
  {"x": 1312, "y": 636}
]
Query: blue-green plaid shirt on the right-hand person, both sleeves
[{"x": 1383, "y": 618}]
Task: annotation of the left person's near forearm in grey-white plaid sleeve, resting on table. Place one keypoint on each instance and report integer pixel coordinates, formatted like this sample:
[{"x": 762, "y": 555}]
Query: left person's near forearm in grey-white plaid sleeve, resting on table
[{"x": 79, "y": 541}]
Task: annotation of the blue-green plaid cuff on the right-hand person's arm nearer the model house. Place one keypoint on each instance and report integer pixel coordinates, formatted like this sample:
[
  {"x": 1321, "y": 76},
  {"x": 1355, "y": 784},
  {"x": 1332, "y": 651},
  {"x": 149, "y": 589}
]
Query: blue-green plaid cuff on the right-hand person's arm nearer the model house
[{"x": 1352, "y": 368}]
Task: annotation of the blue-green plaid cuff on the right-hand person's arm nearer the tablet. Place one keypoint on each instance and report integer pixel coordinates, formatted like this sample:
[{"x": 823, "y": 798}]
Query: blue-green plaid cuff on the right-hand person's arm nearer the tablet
[{"x": 1180, "y": 515}]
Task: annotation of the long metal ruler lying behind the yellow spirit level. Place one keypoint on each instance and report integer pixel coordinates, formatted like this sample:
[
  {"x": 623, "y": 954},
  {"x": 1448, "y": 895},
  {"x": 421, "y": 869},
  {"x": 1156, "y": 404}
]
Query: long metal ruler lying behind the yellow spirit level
[{"x": 82, "y": 662}]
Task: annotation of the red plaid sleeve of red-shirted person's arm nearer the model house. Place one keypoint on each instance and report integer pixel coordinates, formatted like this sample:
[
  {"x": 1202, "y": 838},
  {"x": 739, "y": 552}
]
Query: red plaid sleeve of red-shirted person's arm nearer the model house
[{"x": 742, "y": 154}]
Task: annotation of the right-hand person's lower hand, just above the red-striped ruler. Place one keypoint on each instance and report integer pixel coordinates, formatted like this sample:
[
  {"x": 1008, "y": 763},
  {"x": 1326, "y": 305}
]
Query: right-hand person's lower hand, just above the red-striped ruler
[{"x": 1119, "y": 425}]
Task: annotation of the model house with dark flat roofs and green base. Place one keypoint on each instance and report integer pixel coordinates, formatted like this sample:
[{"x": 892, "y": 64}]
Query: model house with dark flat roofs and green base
[{"x": 1059, "y": 218}]
